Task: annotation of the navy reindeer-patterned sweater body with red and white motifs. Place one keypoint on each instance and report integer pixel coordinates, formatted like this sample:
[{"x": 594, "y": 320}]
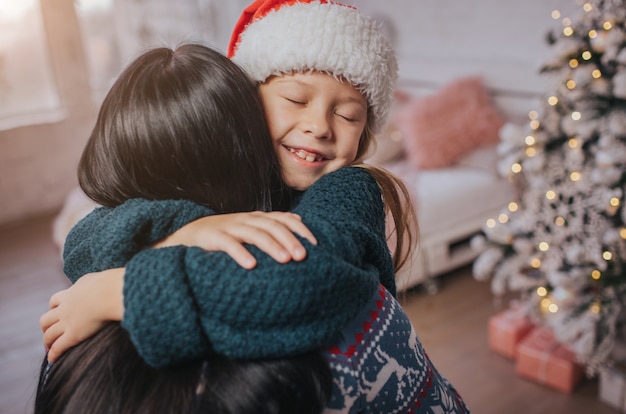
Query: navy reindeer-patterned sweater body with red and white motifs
[{"x": 380, "y": 366}]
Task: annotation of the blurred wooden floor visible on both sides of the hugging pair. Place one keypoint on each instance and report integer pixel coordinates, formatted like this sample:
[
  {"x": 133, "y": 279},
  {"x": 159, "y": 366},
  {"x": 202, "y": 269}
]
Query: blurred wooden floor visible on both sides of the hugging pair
[{"x": 452, "y": 324}]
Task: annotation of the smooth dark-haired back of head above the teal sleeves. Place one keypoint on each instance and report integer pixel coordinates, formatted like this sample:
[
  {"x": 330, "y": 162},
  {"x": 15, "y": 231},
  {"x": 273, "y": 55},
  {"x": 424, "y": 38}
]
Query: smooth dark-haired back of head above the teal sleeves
[{"x": 184, "y": 123}]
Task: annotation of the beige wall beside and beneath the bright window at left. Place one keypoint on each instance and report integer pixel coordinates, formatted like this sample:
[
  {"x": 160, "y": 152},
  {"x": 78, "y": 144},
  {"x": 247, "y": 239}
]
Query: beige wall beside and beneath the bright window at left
[{"x": 37, "y": 163}]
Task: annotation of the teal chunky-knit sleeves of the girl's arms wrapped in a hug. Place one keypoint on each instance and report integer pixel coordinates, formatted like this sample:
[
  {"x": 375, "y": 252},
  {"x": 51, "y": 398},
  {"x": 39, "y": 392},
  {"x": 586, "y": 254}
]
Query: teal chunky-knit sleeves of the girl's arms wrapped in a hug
[{"x": 183, "y": 302}]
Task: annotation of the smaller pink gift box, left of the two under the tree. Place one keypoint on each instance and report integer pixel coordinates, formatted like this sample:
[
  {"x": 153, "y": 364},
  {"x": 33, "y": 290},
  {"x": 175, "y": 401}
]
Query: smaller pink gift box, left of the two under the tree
[{"x": 507, "y": 329}]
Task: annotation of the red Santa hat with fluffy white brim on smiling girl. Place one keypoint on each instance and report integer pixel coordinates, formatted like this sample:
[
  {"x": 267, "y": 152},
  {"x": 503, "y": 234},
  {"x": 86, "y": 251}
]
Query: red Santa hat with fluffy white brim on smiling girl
[{"x": 274, "y": 37}]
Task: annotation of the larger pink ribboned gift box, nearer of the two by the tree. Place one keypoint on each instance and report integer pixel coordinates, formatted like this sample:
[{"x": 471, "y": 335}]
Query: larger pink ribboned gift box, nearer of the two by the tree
[{"x": 540, "y": 357}]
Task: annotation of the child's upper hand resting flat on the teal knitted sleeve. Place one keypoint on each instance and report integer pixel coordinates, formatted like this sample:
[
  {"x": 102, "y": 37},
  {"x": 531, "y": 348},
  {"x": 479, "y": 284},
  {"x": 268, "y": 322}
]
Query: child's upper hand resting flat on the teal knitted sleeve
[{"x": 272, "y": 232}]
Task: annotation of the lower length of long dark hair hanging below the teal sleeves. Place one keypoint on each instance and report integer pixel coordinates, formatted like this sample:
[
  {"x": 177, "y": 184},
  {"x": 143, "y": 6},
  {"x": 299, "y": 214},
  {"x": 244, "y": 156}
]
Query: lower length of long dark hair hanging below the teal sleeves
[{"x": 106, "y": 375}]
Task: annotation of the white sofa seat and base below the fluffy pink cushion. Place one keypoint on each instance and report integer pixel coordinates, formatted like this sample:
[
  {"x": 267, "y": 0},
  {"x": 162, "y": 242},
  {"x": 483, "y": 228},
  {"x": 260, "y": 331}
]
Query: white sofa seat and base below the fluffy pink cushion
[{"x": 453, "y": 204}]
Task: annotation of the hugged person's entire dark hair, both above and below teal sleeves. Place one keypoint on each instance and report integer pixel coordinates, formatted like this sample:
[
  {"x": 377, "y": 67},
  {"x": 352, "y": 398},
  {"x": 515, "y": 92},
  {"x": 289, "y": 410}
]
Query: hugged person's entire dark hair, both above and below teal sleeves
[{"x": 180, "y": 124}]
